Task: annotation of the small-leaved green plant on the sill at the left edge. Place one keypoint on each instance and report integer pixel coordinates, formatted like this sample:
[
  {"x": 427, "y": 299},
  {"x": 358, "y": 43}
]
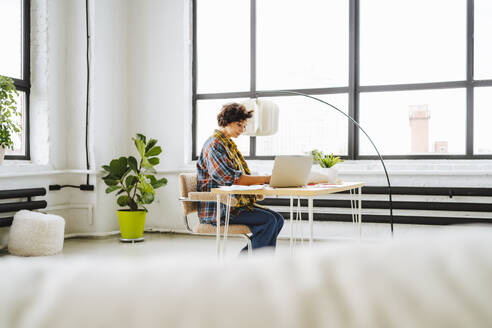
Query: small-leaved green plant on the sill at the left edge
[{"x": 8, "y": 114}]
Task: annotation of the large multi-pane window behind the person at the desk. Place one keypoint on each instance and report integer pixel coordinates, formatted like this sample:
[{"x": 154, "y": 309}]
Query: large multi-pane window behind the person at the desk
[{"x": 415, "y": 74}]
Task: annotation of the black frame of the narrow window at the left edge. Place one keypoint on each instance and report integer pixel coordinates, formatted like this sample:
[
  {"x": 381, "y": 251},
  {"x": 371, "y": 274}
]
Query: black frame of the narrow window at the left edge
[{"x": 24, "y": 84}]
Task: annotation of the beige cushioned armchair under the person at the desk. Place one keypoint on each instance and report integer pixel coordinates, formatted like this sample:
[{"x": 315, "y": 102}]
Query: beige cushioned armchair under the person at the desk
[{"x": 189, "y": 198}]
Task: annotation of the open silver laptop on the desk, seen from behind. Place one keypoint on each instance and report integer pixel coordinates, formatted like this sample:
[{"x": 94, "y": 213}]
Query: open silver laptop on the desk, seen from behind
[{"x": 291, "y": 171}]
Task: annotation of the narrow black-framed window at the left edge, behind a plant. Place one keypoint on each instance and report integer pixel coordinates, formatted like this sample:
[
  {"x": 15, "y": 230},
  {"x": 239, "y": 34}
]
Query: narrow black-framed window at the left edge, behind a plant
[{"x": 14, "y": 63}]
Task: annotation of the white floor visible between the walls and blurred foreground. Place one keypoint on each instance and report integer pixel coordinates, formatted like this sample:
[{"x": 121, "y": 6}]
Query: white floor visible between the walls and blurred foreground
[{"x": 183, "y": 245}]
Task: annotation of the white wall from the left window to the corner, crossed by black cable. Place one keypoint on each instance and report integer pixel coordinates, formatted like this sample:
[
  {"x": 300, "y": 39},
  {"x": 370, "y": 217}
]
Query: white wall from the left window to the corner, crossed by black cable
[{"x": 58, "y": 40}]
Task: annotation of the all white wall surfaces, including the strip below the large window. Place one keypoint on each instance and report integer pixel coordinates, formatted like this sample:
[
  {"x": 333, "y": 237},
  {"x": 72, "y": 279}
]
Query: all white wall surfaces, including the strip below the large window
[{"x": 141, "y": 82}]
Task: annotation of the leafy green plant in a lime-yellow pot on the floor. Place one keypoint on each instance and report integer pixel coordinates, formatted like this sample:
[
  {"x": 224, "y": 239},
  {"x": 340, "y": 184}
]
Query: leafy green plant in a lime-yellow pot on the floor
[{"x": 135, "y": 182}]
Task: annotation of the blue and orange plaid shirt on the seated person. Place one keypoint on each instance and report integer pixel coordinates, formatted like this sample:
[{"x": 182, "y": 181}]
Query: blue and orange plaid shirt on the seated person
[{"x": 215, "y": 169}]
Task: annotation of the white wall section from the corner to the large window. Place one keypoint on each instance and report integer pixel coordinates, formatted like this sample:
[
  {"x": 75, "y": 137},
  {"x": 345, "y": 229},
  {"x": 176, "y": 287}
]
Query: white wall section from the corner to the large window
[{"x": 159, "y": 102}]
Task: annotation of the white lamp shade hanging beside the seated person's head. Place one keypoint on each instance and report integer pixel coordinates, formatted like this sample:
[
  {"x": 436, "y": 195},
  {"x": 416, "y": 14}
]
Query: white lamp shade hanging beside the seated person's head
[{"x": 265, "y": 118}]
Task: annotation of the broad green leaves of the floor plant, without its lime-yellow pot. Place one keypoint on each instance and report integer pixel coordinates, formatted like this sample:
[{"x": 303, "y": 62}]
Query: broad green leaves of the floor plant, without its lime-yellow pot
[{"x": 134, "y": 180}]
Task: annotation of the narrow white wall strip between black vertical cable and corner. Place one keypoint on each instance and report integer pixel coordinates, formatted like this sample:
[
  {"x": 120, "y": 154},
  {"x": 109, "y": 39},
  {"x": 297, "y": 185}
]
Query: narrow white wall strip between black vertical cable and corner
[{"x": 110, "y": 117}]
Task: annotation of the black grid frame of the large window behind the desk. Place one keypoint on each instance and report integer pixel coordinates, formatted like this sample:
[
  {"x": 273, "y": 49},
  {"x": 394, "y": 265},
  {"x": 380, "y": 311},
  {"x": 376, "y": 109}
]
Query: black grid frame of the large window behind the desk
[{"x": 354, "y": 89}]
